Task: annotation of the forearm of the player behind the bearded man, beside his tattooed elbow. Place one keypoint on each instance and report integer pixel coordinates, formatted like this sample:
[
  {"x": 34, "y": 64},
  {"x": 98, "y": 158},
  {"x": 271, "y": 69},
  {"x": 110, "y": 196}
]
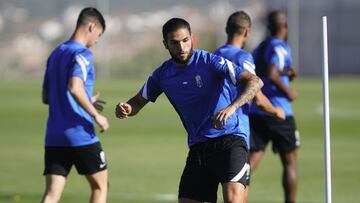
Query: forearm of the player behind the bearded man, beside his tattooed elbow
[{"x": 263, "y": 102}]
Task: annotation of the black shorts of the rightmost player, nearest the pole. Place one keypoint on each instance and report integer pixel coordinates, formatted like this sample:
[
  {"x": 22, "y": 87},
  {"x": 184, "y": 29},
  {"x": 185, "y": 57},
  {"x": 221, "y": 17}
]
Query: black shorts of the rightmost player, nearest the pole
[{"x": 283, "y": 134}]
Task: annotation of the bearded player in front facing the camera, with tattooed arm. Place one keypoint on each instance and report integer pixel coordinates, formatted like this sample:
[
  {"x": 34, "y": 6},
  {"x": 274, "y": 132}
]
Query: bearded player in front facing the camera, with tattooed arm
[{"x": 198, "y": 84}]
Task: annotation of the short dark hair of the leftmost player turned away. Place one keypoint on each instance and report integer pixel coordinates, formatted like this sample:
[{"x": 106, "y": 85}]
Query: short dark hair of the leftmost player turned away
[{"x": 90, "y": 14}]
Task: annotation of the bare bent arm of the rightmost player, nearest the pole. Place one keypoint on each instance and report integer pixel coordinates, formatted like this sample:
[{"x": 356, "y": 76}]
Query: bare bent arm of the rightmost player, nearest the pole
[{"x": 274, "y": 77}]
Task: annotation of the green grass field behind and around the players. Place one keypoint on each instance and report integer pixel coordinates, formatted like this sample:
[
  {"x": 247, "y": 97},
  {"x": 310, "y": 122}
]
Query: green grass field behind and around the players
[{"x": 146, "y": 154}]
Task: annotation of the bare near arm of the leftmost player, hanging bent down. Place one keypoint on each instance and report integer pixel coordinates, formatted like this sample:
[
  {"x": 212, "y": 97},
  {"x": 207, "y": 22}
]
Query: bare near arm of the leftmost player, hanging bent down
[{"x": 77, "y": 90}]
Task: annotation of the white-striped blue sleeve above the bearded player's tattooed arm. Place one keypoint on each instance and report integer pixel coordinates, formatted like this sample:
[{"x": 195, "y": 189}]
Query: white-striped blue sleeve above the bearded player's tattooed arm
[{"x": 226, "y": 68}]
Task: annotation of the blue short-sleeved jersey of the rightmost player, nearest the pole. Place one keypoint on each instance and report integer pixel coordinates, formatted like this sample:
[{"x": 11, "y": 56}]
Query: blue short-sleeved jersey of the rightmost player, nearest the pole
[{"x": 273, "y": 51}]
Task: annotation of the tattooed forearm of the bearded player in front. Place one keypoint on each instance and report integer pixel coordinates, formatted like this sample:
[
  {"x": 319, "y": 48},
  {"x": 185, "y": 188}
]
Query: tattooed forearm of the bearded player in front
[{"x": 252, "y": 87}]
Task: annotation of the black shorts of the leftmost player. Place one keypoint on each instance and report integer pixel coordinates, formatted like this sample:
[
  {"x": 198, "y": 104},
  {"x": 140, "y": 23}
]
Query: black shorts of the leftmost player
[{"x": 87, "y": 159}]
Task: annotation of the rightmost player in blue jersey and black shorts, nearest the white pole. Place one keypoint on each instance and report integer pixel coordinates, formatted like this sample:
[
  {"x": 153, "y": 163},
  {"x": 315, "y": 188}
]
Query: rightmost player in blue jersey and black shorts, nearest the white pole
[{"x": 274, "y": 66}]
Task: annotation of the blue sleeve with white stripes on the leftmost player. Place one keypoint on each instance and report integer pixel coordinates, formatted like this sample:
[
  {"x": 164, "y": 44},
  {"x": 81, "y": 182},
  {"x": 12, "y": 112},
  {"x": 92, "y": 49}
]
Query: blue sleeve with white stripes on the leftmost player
[{"x": 82, "y": 65}]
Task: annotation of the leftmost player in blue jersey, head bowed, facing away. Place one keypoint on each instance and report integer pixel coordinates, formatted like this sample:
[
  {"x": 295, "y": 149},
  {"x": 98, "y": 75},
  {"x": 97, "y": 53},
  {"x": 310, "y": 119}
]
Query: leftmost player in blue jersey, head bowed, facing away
[{"x": 70, "y": 135}]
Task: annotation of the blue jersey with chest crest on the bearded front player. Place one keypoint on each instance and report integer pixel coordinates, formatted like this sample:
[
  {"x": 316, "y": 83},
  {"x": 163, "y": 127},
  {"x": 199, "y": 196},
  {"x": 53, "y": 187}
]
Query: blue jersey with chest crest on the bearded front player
[{"x": 198, "y": 90}]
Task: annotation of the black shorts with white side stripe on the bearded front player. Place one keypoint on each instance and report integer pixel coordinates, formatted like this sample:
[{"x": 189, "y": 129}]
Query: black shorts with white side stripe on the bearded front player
[{"x": 219, "y": 160}]
